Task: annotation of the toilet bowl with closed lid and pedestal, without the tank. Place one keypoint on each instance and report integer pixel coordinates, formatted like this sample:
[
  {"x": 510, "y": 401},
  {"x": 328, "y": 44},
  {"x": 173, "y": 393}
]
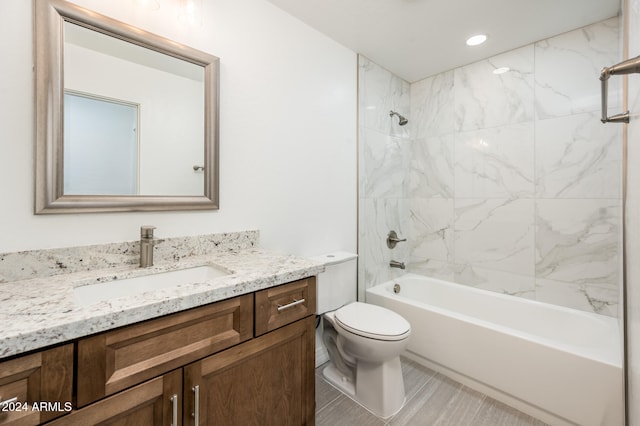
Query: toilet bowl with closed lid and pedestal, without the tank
[{"x": 364, "y": 343}]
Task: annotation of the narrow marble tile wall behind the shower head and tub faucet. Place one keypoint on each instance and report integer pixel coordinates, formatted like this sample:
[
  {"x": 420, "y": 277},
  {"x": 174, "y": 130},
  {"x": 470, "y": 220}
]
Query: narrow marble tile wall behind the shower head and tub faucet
[{"x": 384, "y": 172}]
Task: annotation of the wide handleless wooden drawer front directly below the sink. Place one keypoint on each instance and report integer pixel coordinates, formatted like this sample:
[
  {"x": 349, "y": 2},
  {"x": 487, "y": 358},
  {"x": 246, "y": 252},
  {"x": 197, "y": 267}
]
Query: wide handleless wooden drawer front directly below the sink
[{"x": 117, "y": 359}]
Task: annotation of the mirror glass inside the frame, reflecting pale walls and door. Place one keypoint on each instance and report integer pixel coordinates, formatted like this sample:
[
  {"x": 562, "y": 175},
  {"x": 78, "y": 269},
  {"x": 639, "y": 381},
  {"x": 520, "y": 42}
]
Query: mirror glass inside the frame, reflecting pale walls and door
[{"x": 133, "y": 118}]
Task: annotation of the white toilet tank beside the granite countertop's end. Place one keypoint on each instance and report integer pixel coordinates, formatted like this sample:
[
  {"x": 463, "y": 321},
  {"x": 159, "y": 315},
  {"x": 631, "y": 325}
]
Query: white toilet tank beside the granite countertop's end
[{"x": 338, "y": 284}]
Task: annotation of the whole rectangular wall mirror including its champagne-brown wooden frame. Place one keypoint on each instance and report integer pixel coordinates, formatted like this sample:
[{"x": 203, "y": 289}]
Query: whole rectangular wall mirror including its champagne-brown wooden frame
[{"x": 126, "y": 120}]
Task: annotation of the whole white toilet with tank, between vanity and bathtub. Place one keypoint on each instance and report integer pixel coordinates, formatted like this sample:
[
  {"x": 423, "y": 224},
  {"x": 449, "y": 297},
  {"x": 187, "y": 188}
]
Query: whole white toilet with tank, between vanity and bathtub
[{"x": 364, "y": 341}]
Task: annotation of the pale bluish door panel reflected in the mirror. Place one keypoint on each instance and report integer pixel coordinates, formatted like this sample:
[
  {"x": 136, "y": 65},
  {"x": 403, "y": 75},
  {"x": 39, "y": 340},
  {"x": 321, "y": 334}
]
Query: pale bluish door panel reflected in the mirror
[{"x": 100, "y": 146}]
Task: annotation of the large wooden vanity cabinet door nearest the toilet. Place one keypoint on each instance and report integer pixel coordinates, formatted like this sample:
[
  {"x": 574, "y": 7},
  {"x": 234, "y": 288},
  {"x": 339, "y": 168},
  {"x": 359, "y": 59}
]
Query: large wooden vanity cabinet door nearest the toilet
[{"x": 266, "y": 381}]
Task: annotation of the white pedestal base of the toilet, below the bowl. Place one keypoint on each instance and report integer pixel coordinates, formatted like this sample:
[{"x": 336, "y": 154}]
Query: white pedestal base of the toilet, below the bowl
[{"x": 377, "y": 387}]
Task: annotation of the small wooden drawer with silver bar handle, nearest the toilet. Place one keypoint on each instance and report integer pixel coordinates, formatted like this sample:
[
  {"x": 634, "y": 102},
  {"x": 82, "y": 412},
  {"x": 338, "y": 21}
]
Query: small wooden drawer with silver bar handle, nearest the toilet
[{"x": 284, "y": 304}]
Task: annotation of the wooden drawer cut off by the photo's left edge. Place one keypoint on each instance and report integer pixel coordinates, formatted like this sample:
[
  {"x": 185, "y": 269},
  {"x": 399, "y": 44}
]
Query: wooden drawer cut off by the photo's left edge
[{"x": 44, "y": 377}]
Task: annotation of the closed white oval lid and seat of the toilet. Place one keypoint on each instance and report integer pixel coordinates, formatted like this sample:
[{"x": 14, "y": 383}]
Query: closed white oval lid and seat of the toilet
[{"x": 372, "y": 321}]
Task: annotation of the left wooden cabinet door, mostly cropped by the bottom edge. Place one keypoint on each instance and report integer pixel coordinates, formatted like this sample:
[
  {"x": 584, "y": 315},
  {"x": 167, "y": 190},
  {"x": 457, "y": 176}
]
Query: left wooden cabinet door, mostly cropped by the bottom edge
[{"x": 156, "y": 402}]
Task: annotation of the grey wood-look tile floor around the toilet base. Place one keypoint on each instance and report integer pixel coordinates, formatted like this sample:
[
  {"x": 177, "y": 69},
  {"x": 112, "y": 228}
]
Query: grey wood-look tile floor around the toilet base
[{"x": 432, "y": 399}]
